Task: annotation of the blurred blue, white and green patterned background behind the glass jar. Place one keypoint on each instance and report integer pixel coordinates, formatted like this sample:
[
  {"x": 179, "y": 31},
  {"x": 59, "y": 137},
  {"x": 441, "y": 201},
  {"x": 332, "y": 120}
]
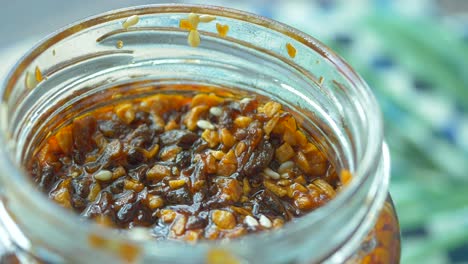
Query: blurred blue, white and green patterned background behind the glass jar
[{"x": 413, "y": 54}]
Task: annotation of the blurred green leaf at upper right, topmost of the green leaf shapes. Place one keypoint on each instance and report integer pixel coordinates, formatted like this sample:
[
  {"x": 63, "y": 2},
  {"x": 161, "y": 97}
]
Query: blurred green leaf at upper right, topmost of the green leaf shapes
[{"x": 427, "y": 50}]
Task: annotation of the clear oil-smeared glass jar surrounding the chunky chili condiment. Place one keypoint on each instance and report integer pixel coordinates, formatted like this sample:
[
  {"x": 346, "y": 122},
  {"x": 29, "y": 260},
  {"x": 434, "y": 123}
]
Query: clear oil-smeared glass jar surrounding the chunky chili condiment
[{"x": 85, "y": 66}]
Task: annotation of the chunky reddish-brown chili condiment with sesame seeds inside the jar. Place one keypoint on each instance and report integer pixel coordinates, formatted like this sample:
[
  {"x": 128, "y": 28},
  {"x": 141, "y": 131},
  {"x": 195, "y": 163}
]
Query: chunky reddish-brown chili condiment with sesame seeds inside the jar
[{"x": 187, "y": 166}]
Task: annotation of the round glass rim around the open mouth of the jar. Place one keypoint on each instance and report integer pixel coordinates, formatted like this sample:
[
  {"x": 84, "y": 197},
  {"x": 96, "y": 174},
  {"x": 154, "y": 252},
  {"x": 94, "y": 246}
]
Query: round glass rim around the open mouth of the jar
[{"x": 365, "y": 167}]
